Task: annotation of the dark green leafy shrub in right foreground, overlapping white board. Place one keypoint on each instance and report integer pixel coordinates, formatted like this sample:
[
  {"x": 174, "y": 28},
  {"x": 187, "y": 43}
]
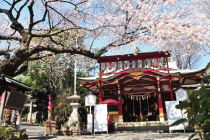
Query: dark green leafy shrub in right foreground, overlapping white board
[{"x": 198, "y": 112}]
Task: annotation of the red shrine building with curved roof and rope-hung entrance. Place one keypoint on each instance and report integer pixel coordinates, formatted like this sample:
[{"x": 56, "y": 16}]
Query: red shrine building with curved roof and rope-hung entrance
[{"x": 140, "y": 84}]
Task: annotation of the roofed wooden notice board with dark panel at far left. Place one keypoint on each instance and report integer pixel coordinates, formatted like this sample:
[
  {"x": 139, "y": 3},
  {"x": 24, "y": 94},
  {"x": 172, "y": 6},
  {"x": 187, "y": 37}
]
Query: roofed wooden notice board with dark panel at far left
[{"x": 13, "y": 96}]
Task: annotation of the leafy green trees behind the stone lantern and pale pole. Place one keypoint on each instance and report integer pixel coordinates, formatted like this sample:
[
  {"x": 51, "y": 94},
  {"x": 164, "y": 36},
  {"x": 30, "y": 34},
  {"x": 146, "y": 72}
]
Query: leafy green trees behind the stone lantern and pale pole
[{"x": 45, "y": 78}]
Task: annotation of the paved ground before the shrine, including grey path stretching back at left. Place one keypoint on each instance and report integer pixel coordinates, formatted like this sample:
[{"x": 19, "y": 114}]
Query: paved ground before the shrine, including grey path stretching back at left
[{"x": 37, "y": 133}]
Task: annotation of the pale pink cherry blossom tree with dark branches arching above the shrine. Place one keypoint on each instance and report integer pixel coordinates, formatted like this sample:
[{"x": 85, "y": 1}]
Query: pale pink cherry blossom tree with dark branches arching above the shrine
[{"x": 30, "y": 28}]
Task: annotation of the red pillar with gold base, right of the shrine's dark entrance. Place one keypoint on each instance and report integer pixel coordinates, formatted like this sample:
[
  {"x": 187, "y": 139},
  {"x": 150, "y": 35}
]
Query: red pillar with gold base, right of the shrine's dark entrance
[{"x": 160, "y": 103}]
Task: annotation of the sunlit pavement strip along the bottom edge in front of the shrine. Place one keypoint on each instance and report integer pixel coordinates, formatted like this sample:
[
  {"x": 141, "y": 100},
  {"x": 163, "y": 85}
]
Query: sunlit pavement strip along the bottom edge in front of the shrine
[{"x": 122, "y": 136}]
